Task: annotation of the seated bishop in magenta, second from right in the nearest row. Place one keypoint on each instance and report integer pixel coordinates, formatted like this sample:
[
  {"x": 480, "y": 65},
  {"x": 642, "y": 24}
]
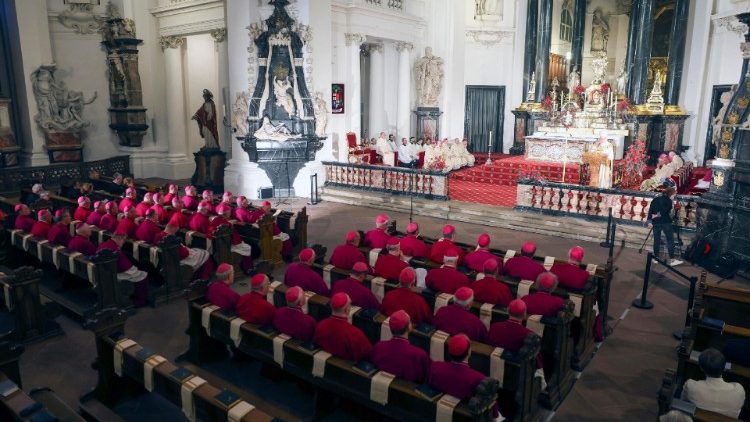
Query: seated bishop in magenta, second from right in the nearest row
[{"x": 397, "y": 356}]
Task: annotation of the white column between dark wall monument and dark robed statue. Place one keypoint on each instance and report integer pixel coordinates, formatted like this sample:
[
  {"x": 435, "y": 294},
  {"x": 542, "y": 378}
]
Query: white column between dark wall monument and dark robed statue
[{"x": 176, "y": 115}]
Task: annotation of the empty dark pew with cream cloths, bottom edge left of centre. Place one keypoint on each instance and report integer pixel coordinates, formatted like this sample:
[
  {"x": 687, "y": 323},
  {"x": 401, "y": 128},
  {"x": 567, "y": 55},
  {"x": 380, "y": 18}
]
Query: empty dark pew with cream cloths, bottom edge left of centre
[{"x": 123, "y": 366}]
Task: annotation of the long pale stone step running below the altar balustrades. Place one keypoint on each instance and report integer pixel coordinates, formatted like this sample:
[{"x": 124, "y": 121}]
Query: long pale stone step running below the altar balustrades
[{"x": 493, "y": 216}]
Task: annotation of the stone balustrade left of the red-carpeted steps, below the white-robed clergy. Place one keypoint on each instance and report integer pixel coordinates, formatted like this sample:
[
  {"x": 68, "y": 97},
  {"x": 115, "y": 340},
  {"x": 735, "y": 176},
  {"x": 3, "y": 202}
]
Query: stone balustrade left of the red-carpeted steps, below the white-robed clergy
[{"x": 394, "y": 180}]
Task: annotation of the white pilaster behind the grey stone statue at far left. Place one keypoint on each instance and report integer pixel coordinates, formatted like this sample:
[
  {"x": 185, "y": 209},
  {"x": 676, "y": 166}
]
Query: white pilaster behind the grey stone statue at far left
[{"x": 36, "y": 50}]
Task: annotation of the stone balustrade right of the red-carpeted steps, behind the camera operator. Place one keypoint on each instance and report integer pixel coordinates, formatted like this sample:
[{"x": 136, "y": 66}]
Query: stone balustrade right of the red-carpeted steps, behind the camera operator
[{"x": 627, "y": 206}]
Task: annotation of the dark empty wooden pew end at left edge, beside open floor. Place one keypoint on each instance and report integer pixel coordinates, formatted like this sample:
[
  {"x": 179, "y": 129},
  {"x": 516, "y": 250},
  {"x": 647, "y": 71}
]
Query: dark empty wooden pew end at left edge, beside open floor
[{"x": 21, "y": 298}]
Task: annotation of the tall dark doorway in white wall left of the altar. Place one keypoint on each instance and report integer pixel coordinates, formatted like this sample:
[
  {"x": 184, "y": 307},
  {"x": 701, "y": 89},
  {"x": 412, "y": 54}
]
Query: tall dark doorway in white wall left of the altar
[{"x": 485, "y": 110}]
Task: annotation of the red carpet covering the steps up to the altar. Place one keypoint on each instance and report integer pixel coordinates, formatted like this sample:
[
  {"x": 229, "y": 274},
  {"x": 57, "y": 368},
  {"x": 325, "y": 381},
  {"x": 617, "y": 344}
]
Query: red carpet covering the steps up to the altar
[{"x": 495, "y": 184}]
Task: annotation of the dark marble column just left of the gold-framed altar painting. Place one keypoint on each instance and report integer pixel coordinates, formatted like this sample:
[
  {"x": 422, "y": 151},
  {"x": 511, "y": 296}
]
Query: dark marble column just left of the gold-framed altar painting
[{"x": 642, "y": 52}]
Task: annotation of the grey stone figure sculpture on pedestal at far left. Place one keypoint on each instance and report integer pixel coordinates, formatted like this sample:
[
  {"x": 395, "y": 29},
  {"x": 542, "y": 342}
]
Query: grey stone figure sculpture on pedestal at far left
[{"x": 60, "y": 109}]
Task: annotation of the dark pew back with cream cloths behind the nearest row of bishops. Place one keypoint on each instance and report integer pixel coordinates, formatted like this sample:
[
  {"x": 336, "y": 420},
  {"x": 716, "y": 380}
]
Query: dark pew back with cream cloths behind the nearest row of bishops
[{"x": 331, "y": 377}]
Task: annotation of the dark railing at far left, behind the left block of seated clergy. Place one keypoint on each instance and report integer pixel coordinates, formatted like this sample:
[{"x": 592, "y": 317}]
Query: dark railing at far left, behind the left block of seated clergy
[{"x": 11, "y": 179}]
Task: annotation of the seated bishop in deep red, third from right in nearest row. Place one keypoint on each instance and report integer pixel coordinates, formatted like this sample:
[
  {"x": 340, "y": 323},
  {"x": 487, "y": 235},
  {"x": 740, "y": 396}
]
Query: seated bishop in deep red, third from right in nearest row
[{"x": 337, "y": 336}]
